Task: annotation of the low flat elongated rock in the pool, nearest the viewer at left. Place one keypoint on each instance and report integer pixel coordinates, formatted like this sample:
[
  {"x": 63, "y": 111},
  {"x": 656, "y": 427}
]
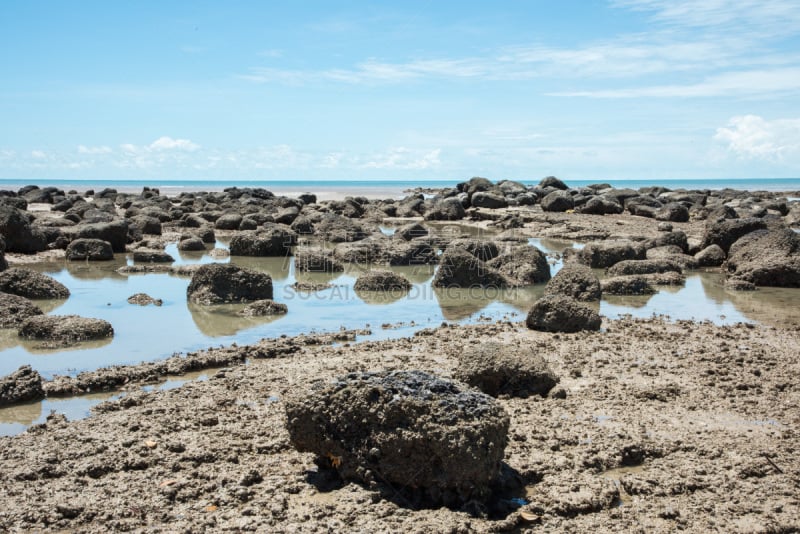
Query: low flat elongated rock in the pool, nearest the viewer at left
[{"x": 65, "y": 328}]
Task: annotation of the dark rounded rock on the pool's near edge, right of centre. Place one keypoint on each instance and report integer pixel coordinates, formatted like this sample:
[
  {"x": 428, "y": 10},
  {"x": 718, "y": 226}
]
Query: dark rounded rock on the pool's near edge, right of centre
[{"x": 558, "y": 313}]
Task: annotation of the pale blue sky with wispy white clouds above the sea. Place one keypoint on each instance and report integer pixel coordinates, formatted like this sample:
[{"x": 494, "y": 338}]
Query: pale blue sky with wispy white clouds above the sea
[{"x": 601, "y": 90}]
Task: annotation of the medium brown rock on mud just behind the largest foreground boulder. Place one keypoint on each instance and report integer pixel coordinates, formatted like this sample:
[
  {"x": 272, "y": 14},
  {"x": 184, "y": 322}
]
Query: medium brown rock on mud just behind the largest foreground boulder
[{"x": 500, "y": 369}]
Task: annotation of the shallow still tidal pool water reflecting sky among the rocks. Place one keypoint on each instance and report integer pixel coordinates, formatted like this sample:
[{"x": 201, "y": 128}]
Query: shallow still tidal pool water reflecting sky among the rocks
[{"x": 147, "y": 333}]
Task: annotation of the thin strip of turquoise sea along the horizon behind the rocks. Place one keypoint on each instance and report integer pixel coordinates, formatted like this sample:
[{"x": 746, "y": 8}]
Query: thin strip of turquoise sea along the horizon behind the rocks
[{"x": 753, "y": 184}]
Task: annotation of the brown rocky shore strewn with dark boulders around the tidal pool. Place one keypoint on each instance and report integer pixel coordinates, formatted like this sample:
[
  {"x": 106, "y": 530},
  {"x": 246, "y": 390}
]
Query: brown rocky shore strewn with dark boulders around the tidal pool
[{"x": 566, "y": 421}]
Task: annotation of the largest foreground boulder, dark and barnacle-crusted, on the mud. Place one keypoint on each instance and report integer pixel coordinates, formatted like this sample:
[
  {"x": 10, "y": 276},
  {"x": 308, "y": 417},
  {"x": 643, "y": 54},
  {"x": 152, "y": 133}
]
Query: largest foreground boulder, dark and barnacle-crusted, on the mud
[{"x": 405, "y": 431}]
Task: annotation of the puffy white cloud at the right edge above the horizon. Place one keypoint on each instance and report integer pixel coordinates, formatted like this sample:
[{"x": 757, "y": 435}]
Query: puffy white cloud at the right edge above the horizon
[{"x": 753, "y": 137}]
